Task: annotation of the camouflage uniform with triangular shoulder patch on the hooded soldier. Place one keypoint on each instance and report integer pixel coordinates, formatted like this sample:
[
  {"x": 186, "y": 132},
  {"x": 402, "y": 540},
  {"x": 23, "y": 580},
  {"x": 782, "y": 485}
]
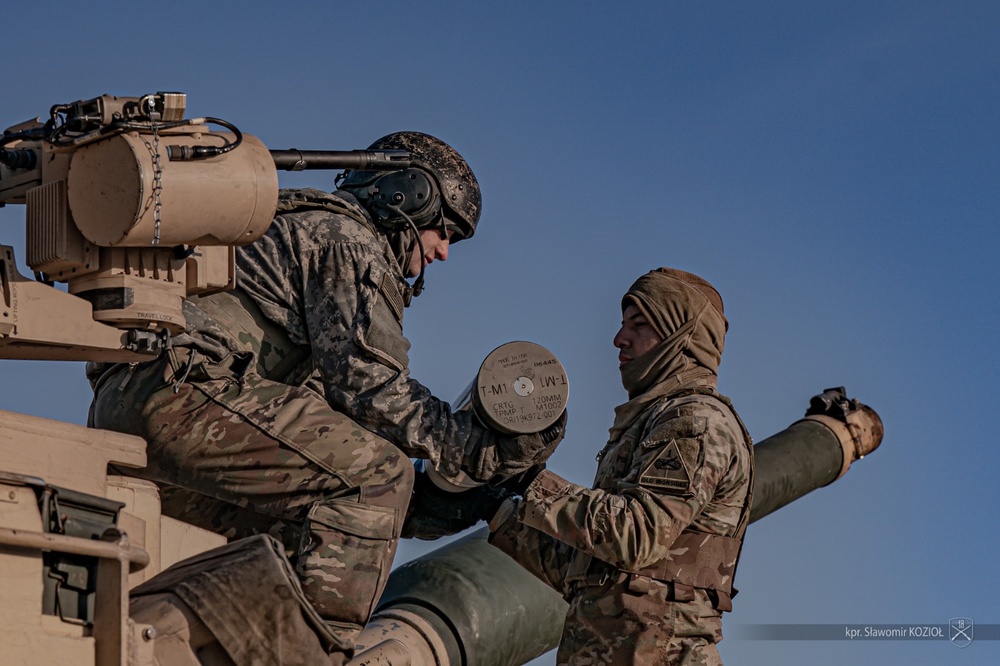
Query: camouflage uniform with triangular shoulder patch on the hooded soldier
[{"x": 645, "y": 558}]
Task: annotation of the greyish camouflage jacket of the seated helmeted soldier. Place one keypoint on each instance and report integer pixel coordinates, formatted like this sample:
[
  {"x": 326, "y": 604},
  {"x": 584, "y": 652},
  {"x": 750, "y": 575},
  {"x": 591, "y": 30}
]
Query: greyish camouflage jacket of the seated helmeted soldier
[{"x": 325, "y": 295}]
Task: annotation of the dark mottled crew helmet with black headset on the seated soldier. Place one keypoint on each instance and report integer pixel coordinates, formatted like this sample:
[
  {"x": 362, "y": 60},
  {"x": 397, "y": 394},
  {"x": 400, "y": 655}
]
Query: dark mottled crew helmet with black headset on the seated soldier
[{"x": 438, "y": 190}]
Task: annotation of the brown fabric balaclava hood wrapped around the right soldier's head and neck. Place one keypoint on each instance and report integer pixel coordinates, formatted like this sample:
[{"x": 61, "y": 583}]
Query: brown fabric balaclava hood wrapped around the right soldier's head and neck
[{"x": 687, "y": 312}]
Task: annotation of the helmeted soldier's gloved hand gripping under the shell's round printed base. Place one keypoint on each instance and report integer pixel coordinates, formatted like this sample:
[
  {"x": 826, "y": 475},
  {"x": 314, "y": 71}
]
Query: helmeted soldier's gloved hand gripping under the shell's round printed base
[{"x": 490, "y": 454}]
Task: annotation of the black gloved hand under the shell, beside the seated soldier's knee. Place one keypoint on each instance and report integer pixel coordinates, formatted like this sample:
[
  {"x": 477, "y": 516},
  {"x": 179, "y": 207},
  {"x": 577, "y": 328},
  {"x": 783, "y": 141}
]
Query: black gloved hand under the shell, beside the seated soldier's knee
[{"x": 434, "y": 513}]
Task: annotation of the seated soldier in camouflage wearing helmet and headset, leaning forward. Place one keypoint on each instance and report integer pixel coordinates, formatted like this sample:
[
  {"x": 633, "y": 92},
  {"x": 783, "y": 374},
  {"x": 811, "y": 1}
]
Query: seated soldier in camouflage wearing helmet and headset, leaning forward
[{"x": 288, "y": 408}]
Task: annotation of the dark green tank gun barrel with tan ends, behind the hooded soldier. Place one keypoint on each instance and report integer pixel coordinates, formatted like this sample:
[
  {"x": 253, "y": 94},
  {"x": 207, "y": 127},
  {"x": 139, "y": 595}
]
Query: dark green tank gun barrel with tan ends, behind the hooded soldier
[{"x": 468, "y": 603}]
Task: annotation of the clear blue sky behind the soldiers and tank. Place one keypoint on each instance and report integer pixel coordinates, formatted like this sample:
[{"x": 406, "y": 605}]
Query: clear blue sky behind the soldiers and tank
[{"x": 831, "y": 167}]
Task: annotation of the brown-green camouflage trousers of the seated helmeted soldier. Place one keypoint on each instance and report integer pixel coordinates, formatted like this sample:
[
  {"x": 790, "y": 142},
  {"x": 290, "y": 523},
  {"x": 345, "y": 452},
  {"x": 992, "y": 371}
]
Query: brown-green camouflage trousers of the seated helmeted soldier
[{"x": 240, "y": 455}]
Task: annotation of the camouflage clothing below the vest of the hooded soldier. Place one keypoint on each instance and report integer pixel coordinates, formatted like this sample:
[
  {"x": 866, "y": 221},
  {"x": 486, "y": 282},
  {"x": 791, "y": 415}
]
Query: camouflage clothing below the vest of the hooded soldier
[{"x": 628, "y": 619}]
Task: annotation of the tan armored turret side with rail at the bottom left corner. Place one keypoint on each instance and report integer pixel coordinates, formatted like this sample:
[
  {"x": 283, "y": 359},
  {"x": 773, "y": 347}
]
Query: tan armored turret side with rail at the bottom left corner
[{"x": 39, "y": 453}]
